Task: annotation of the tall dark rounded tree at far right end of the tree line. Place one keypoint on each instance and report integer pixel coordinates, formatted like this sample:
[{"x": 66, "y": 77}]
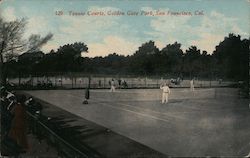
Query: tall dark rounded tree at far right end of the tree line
[{"x": 232, "y": 57}]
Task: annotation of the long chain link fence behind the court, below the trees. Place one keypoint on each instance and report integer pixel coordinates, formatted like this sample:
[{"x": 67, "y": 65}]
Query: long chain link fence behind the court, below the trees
[{"x": 78, "y": 81}]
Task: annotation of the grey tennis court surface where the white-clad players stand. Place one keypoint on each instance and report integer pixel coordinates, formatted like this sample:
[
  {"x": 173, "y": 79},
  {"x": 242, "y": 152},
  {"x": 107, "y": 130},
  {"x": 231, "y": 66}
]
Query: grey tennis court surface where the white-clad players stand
[{"x": 208, "y": 122}]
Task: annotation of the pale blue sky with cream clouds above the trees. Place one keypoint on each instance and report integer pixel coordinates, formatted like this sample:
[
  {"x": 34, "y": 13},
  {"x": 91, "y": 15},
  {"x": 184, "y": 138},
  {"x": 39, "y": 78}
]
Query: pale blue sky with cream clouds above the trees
[{"x": 203, "y": 23}]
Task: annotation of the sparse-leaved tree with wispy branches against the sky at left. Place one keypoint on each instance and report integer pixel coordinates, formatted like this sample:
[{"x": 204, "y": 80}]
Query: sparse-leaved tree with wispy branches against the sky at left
[{"x": 12, "y": 43}]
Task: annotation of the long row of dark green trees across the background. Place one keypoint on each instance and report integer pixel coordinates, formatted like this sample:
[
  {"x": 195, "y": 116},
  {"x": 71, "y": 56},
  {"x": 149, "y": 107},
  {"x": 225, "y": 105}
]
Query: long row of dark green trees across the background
[{"x": 229, "y": 60}]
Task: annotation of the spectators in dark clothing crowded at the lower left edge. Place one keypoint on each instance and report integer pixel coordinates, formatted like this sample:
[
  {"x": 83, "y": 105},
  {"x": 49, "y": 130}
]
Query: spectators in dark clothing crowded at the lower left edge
[{"x": 13, "y": 123}]
